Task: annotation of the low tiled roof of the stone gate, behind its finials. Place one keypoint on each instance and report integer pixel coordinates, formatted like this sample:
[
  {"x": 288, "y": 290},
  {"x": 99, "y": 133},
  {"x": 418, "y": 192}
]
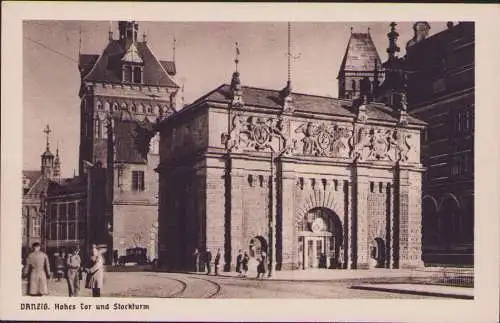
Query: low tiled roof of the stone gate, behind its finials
[{"x": 270, "y": 99}]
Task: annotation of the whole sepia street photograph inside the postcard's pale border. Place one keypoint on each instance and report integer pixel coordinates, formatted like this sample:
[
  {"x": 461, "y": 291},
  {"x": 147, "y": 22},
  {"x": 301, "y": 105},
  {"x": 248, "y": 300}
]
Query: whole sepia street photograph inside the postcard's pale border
[{"x": 226, "y": 168}]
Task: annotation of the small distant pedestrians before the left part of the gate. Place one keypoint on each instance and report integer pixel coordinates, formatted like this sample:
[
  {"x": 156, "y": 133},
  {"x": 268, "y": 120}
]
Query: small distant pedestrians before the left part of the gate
[{"x": 203, "y": 262}]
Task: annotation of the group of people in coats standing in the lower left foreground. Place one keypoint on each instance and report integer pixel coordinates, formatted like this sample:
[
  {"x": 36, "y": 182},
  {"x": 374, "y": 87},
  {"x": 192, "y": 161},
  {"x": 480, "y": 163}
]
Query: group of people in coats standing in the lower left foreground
[{"x": 37, "y": 271}]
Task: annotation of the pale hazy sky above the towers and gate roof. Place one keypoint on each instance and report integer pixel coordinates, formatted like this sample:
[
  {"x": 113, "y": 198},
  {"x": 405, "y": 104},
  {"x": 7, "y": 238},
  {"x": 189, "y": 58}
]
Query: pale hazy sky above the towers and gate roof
[{"x": 204, "y": 57}]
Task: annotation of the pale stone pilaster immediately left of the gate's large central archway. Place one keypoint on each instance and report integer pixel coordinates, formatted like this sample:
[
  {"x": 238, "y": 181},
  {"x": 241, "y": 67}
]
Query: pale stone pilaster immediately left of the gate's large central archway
[{"x": 287, "y": 253}]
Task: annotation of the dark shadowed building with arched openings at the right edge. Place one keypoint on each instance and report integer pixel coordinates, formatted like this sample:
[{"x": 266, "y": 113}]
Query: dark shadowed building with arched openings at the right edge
[{"x": 441, "y": 92}]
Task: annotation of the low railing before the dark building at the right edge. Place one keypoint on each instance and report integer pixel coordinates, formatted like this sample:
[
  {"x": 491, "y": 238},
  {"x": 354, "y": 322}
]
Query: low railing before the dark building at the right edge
[{"x": 462, "y": 277}]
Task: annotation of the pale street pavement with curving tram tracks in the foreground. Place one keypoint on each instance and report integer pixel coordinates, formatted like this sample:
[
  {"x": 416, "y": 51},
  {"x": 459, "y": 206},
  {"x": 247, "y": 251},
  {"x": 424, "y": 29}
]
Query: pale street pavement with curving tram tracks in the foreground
[{"x": 153, "y": 284}]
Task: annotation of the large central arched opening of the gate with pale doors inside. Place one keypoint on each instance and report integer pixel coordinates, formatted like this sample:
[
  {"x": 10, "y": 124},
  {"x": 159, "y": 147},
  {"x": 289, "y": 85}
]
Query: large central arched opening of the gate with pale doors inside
[{"x": 320, "y": 240}]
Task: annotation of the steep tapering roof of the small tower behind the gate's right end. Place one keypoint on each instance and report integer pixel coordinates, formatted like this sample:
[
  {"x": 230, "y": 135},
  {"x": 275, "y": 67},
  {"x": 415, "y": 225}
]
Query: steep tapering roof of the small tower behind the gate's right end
[{"x": 360, "y": 54}]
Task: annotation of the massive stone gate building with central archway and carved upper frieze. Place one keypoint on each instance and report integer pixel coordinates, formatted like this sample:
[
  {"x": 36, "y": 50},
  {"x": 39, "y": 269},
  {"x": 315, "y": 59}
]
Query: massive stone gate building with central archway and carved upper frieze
[{"x": 312, "y": 181}]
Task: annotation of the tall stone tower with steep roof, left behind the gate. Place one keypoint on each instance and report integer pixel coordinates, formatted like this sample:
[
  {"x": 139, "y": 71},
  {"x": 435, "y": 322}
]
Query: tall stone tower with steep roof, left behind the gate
[{"x": 124, "y": 92}]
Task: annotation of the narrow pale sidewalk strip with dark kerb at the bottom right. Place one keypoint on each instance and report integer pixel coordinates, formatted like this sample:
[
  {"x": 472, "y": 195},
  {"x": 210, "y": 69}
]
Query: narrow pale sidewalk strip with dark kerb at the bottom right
[{"x": 421, "y": 289}]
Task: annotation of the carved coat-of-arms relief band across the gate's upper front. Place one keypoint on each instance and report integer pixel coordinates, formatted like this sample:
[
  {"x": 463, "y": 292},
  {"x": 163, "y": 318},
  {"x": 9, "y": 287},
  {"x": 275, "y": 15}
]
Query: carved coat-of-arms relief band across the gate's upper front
[{"x": 318, "y": 139}]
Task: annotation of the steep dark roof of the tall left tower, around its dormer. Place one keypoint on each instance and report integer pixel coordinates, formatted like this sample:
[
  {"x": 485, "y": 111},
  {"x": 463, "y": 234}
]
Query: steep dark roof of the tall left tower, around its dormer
[{"x": 107, "y": 67}]
